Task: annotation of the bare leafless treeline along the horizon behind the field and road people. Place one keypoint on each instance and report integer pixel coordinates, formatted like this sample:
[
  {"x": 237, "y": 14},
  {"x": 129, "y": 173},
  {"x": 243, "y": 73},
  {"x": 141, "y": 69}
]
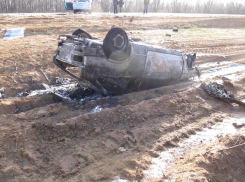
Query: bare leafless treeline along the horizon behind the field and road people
[{"x": 174, "y": 6}]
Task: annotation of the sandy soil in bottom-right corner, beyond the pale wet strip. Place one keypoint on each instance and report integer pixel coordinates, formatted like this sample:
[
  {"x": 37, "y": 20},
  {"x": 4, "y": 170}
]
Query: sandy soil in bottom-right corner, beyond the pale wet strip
[{"x": 212, "y": 162}]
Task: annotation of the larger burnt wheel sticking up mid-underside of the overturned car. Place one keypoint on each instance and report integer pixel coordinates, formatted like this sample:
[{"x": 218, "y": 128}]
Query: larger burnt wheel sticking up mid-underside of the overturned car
[{"x": 116, "y": 45}]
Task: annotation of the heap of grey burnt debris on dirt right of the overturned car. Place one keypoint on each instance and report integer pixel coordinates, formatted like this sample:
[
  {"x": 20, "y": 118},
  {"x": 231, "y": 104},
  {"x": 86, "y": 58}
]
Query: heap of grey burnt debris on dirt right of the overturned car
[{"x": 219, "y": 92}]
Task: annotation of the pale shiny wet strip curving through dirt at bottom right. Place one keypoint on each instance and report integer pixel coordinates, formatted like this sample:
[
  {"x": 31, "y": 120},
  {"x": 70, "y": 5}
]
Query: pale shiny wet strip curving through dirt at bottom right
[{"x": 166, "y": 159}]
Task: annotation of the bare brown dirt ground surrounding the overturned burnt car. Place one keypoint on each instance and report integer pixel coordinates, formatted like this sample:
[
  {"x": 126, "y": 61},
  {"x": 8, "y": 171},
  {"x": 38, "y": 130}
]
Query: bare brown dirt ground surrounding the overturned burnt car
[{"x": 45, "y": 139}]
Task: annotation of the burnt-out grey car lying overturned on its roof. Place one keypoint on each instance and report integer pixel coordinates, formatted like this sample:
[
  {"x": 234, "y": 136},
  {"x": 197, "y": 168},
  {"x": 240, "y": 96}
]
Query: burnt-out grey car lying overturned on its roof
[{"x": 119, "y": 64}]
